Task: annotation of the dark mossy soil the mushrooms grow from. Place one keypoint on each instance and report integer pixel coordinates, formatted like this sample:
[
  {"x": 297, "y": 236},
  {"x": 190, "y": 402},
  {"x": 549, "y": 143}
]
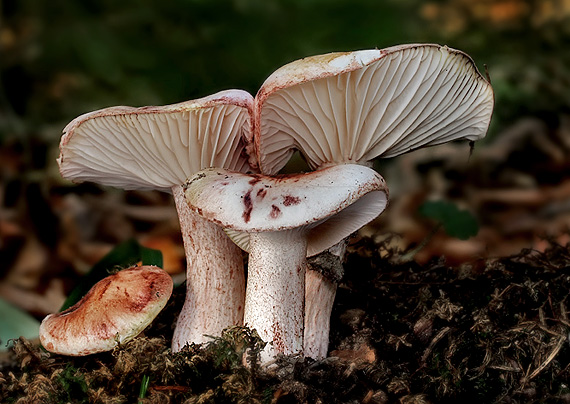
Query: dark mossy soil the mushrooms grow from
[{"x": 491, "y": 331}]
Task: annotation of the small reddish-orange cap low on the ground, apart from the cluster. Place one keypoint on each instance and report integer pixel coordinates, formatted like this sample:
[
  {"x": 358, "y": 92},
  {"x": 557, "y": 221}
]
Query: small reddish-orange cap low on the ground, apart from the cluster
[{"x": 114, "y": 311}]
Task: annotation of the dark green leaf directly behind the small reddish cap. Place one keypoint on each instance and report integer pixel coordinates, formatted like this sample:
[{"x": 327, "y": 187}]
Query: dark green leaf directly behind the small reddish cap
[{"x": 122, "y": 256}]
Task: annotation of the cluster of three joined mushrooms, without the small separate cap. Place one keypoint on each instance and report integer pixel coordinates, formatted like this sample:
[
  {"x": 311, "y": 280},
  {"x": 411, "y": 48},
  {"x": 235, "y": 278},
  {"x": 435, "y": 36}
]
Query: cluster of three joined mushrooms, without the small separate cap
[{"x": 220, "y": 157}]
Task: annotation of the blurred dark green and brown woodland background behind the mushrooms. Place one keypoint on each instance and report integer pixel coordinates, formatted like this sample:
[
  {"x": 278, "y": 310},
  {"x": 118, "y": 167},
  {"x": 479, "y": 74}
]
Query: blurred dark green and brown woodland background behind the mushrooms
[{"x": 59, "y": 59}]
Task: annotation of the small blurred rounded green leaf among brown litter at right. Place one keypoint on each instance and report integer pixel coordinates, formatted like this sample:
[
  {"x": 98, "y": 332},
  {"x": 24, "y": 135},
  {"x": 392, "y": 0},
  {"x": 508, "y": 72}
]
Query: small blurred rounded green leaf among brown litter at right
[{"x": 461, "y": 224}]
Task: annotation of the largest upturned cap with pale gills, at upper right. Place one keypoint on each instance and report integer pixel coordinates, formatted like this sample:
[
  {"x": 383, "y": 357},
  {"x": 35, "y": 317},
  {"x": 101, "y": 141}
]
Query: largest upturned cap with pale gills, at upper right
[{"x": 352, "y": 107}]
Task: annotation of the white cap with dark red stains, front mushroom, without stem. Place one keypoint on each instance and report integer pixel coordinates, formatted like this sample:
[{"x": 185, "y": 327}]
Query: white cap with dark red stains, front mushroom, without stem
[{"x": 330, "y": 203}]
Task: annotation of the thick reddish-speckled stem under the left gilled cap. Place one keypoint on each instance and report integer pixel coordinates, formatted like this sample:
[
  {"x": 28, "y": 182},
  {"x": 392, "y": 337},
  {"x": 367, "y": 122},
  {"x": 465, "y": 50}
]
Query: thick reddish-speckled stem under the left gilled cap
[{"x": 215, "y": 283}]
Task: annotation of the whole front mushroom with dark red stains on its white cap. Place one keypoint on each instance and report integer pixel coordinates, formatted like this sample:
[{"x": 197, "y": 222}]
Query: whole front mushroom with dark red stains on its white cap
[{"x": 283, "y": 220}]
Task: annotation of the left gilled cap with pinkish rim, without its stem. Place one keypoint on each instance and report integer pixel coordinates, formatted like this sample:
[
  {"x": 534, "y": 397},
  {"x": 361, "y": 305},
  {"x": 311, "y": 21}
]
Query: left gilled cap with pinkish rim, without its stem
[{"x": 157, "y": 147}]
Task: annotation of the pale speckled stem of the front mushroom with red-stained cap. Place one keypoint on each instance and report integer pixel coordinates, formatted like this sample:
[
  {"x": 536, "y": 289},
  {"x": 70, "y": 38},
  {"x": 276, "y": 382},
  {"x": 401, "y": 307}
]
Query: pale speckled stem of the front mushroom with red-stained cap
[{"x": 275, "y": 291}]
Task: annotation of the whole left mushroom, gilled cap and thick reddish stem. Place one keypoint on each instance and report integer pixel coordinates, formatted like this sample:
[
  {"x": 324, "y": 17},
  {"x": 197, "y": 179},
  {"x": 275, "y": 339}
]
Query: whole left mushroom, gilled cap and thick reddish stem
[{"x": 159, "y": 148}]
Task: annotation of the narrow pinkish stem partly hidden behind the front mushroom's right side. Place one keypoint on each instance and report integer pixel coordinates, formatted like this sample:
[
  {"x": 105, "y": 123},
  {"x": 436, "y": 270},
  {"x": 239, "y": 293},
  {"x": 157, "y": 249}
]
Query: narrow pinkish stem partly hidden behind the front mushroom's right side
[{"x": 320, "y": 292}]
